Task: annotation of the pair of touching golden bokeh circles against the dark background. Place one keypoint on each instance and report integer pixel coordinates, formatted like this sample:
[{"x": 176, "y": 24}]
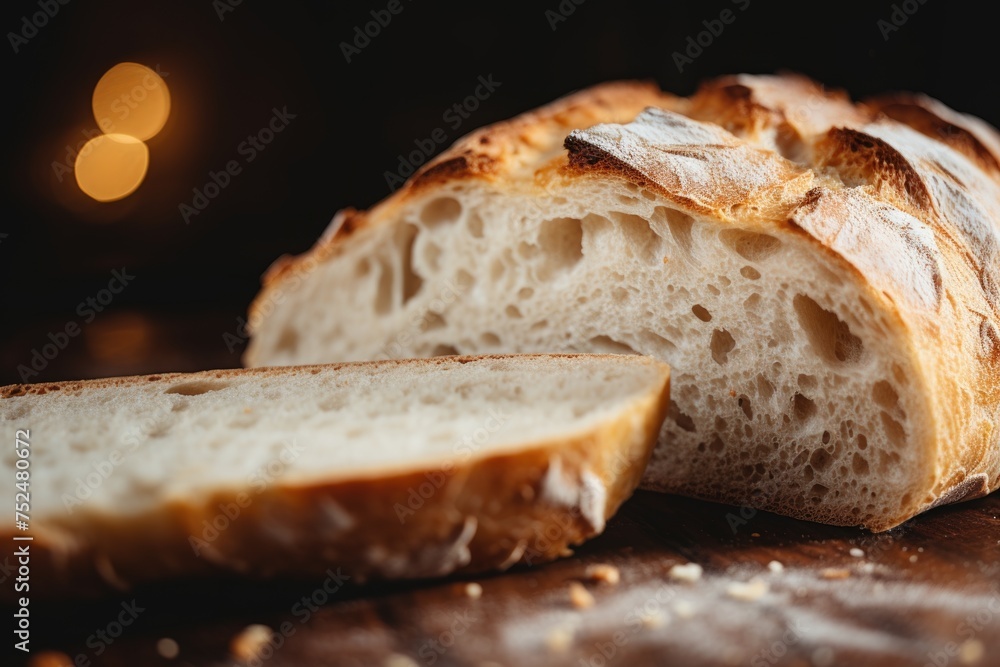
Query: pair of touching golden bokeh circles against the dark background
[{"x": 131, "y": 104}]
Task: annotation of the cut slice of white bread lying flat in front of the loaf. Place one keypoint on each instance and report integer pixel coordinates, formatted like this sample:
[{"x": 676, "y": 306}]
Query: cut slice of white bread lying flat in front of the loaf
[{"x": 392, "y": 469}]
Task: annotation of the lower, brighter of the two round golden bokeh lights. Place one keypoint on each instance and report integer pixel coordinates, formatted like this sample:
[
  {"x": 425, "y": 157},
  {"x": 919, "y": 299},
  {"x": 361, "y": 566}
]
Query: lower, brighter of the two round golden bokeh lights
[{"x": 111, "y": 166}]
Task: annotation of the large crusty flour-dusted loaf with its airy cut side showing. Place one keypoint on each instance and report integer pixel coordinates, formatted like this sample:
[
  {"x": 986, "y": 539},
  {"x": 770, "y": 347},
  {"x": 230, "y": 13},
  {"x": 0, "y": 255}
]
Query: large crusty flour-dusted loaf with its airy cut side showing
[{"x": 823, "y": 277}]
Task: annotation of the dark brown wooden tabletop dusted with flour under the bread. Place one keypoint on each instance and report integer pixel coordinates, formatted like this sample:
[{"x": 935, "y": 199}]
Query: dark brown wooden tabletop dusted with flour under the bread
[{"x": 926, "y": 593}]
